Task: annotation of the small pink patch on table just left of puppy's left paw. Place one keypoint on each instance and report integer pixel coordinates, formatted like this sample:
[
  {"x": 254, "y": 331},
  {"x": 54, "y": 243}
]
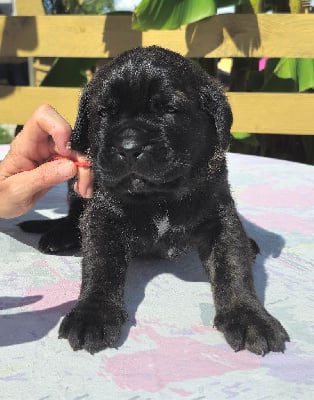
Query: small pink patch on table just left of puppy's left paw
[{"x": 63, "y": 291}]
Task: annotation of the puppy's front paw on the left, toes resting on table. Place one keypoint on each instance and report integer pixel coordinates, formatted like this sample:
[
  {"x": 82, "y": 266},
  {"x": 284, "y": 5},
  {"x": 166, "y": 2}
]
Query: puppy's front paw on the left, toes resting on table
[{"x": 93, "y": 328}]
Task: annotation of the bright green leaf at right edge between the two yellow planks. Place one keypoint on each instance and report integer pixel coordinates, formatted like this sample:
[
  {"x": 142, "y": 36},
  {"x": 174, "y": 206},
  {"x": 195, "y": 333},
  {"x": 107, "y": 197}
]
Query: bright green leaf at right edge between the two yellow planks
[{"x": 301, "y": 70}]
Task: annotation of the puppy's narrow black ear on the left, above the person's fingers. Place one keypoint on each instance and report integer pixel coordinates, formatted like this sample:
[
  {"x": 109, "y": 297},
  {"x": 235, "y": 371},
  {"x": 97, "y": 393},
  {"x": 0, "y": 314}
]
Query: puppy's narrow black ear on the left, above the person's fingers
[{"x": 79, "y": 138}]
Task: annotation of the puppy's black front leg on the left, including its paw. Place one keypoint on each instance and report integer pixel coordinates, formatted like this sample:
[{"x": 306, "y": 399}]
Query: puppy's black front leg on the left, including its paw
[{"x": 96, "y": 320}]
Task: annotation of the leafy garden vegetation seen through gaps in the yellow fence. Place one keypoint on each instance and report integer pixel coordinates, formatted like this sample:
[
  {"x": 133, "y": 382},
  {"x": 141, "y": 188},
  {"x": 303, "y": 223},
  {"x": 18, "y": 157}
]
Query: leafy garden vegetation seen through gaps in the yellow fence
[{"x": 245, "y": 74}]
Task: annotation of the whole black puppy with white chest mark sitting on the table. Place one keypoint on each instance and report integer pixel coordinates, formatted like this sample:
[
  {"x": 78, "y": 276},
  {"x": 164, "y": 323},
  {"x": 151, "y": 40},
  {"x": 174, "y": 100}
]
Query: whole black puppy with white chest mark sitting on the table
[{"x": 156, "y": 128}]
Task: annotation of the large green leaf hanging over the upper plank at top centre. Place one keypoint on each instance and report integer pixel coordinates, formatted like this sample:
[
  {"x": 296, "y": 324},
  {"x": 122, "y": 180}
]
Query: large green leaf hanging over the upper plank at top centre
[{"x": 170, "y": 14}]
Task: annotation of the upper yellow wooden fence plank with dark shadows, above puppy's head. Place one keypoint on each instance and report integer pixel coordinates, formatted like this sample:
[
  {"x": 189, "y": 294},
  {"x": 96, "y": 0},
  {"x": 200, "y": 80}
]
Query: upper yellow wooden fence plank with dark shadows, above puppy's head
[{"x": 261, "y": 35}]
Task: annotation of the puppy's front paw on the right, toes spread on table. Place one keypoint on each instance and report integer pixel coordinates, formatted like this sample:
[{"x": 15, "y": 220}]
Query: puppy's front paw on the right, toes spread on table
[{"x": 254, "y": 330}]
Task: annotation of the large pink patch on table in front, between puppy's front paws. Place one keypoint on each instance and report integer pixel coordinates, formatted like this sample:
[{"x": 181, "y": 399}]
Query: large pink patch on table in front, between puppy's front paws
[{"x": 175, "y": 359}]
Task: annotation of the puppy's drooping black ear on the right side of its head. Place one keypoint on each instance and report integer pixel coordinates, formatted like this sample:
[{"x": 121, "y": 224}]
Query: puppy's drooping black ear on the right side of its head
[{"x": 214, "y": 101}]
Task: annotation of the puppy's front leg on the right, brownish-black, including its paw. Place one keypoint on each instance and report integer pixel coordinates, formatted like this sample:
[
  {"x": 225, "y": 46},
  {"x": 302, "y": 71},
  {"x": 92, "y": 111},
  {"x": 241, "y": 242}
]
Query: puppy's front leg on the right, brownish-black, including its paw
[{"x": 239, "y": 314}]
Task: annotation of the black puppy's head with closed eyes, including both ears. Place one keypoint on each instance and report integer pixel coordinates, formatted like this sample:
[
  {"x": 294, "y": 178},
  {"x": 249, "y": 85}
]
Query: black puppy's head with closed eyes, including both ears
[{"x": 149, "y": 120}]
